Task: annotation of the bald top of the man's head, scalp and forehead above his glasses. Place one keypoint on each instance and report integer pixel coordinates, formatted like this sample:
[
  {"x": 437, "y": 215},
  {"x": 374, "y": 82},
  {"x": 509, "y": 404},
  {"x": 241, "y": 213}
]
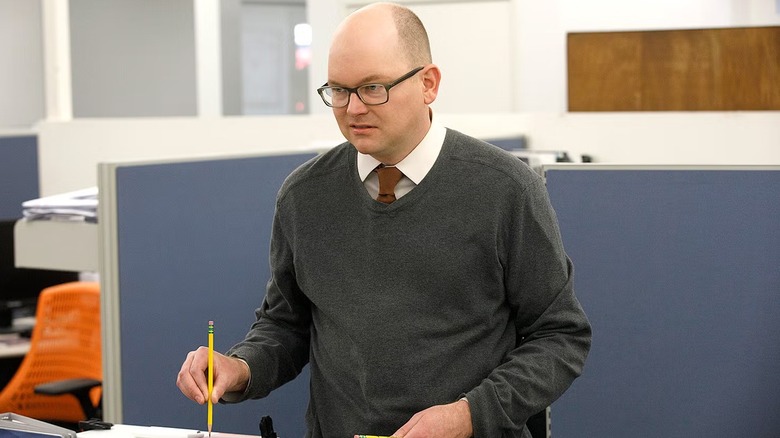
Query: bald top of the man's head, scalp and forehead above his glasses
[{"x": 387, "y": 28}]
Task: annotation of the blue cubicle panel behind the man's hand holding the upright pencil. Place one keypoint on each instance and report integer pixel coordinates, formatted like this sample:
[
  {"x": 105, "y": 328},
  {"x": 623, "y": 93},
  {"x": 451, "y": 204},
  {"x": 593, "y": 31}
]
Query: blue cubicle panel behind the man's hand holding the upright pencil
[{"x": 193, "y": 241}]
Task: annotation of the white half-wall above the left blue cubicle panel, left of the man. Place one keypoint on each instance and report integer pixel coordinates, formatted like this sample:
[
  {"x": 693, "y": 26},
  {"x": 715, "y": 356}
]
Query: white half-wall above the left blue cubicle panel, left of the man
[{"x": 70, "y": 151}]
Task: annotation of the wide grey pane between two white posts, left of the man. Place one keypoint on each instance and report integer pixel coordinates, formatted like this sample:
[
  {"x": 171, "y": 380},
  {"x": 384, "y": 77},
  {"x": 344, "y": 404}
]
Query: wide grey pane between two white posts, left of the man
[{"x": 133, "y": 58}]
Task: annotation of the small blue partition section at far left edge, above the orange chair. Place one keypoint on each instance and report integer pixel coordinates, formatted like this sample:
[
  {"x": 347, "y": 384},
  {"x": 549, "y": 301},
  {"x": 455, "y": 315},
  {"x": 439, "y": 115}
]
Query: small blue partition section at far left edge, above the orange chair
[{"x": 18, "y": 173}]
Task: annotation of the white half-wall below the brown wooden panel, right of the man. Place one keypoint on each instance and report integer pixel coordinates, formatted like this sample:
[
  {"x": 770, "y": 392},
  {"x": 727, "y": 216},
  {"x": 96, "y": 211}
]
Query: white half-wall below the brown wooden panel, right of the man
[{"x": 662, "y": 137}]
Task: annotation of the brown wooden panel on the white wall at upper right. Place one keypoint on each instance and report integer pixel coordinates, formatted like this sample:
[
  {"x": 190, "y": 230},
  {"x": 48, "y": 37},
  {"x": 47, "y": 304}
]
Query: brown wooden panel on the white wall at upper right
[{"x": 676, "y": 70}]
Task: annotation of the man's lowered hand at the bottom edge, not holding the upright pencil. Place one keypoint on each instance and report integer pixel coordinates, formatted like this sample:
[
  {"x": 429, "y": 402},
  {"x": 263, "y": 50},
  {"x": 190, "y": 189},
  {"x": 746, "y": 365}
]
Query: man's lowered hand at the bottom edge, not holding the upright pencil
[{"x": 442, "y": 421}]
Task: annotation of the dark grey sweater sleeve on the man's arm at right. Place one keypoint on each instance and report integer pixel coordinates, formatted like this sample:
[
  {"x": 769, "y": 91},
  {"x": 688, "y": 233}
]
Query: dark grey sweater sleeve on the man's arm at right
[{"x": 553, "y": 333}]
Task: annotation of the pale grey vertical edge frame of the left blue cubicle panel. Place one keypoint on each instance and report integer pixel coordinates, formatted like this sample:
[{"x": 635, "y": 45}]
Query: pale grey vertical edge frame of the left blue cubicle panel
[{"x": 109, "y": 285}]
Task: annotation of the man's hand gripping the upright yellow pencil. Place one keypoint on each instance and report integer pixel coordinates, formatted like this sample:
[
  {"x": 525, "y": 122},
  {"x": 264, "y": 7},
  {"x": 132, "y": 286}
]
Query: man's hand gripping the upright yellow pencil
[{"x": 230, "y": 375}]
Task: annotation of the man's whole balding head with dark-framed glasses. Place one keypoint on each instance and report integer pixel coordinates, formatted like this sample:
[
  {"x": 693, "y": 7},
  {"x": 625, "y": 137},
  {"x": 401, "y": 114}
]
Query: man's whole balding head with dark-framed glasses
[{"x": 383, "y": 45}]
